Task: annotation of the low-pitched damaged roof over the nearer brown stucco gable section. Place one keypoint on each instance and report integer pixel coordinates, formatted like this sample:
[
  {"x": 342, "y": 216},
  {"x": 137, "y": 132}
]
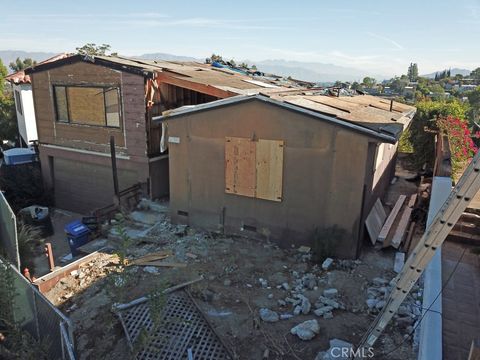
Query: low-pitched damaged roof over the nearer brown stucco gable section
[{"x": 373, "y": 116}]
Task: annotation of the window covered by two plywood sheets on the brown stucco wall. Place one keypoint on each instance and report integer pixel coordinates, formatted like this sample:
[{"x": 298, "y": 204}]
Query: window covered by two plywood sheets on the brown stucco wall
[{"x": 254, "y": 168}]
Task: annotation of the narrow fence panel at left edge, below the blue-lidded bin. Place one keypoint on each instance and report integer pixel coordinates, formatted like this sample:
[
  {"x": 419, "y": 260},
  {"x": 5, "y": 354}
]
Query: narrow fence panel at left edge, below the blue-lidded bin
[{"x": 8, "y": 232}]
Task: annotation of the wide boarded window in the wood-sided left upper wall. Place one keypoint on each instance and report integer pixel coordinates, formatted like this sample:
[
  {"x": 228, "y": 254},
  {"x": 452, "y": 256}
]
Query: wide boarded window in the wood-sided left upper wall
[{"x": 98, "y": 106}]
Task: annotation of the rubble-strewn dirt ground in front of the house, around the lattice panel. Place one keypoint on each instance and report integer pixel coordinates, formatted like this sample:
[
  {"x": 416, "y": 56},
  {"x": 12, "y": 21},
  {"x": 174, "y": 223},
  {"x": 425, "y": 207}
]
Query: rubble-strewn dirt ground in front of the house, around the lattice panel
[{"x": 240, "y": 276}]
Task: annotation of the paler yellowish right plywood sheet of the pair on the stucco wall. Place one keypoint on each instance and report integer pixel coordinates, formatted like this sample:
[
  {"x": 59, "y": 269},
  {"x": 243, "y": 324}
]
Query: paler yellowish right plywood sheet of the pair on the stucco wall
[{"x": 269, "y": 159}]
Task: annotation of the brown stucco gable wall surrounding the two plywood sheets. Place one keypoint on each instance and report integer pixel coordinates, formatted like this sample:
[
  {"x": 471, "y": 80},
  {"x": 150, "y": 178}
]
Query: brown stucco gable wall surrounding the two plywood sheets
[{"x": 323, "y": 175}]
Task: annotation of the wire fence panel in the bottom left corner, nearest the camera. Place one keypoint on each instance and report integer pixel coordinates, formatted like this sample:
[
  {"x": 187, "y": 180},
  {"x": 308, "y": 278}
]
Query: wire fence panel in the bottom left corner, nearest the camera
[{"x": 35, "y": 314}]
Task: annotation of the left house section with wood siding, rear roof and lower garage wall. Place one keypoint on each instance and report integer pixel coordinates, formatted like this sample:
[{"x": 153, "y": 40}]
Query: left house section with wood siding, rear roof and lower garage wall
[{"x": 81, "y": 102}]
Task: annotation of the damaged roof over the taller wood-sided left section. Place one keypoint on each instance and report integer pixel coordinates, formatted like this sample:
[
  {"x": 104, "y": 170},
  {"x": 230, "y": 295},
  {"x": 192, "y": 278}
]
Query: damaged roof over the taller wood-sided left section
[{"x": 225, "y": 79}]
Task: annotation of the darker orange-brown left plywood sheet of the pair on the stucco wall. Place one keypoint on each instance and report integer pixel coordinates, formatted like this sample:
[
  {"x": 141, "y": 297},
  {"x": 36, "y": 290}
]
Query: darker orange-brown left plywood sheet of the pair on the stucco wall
[{"x": 240, "y": 166}]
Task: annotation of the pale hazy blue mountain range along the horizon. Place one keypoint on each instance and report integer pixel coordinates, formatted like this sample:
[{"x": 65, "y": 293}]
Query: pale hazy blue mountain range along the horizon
[{"x": 309, "y": 71}]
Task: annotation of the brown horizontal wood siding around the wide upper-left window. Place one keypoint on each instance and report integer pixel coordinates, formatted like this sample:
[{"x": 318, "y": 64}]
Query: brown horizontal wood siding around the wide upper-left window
[{"x": 130, "y": 139}]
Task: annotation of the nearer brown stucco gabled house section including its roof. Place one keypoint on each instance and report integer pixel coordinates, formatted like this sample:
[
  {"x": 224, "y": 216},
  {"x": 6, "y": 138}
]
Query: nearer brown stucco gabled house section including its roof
[{"x": 284, "y": 166}]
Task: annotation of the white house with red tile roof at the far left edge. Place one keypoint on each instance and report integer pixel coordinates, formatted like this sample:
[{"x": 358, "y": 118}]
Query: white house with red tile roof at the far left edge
[{"x": 22, "y": 90}]
